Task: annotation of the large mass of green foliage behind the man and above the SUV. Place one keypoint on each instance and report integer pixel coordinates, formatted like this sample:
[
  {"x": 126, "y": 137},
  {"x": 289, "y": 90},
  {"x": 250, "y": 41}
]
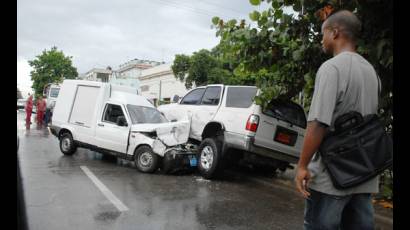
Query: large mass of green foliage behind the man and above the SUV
[{"x": 282, "y": 53}]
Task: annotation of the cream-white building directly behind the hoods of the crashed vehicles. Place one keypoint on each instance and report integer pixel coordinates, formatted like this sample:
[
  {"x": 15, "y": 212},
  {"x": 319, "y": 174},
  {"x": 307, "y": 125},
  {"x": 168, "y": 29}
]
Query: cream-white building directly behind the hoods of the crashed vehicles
[{"x": 159, "y": 83}]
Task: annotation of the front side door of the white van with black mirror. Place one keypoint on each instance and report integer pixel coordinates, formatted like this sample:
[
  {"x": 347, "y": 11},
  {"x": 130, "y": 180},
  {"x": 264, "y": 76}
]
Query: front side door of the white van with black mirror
[{"x": 109, "y": 135}]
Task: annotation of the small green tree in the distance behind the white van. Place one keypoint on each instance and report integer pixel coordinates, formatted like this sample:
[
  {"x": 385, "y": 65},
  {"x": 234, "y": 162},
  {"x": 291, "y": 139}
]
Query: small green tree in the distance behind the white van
[{"x": 49, "y": 67}]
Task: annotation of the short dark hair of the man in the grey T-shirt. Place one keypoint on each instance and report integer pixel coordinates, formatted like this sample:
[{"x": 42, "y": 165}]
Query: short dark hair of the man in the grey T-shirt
[{"x": 347, "y": 23}]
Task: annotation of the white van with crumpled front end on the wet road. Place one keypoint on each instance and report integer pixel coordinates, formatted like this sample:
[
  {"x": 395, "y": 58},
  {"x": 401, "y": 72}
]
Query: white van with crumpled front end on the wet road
[{"x": 114, "y": 120}]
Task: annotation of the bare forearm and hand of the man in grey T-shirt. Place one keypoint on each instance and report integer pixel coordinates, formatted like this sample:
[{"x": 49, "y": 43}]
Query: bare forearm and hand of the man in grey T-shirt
[{"x": 313, "y": 138}]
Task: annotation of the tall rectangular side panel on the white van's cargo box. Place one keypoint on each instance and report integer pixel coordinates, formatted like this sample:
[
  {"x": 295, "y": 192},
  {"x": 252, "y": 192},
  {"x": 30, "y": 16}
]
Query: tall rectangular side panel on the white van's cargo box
[{"x": 82, "y": 114}]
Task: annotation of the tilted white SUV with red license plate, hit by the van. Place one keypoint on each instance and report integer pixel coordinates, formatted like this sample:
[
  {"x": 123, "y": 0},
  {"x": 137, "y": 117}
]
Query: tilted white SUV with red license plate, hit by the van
[{"x": 229, "y": 126}]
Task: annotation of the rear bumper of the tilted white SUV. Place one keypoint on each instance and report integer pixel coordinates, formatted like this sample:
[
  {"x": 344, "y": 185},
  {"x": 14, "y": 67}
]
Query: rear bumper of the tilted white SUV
[{"x": 246, "y": 143}]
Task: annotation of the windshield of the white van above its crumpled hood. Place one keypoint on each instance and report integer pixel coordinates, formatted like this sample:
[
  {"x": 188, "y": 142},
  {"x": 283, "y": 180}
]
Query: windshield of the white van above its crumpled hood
[{"x": 142, "y": 114}]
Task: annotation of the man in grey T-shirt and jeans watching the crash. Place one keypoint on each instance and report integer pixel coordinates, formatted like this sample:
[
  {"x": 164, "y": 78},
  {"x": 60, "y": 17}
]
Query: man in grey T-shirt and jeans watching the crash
[{"x": 346, "y": 82}]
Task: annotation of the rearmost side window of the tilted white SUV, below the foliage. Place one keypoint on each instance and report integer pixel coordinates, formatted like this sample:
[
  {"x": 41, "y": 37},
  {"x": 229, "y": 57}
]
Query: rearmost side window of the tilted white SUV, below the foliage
[{"x": 240, "y": 97}]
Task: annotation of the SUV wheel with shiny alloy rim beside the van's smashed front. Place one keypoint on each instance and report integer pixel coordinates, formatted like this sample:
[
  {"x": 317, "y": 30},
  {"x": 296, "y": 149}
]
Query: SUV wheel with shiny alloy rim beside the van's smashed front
[{"x": 210, "y": 158}]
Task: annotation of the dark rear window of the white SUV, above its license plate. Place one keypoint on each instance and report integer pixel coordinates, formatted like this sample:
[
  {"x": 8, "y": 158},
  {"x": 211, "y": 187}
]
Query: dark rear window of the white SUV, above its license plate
[{"x": 287, "y": 111}]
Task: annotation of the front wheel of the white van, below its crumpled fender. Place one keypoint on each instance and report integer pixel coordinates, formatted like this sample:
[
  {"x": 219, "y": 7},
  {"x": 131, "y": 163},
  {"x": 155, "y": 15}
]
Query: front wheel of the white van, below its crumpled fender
[{"x": 146, "y": 160}]
